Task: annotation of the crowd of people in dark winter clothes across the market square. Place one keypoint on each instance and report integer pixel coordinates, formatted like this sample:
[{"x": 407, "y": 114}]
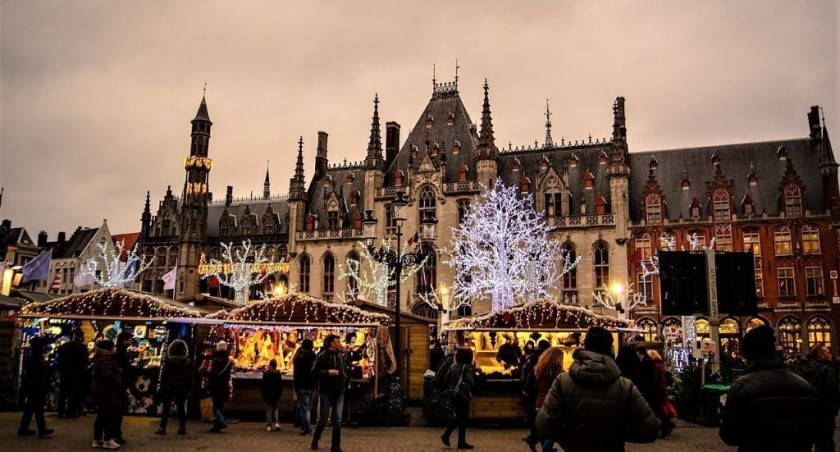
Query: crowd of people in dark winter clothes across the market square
[{"x": 600, "y": 402}]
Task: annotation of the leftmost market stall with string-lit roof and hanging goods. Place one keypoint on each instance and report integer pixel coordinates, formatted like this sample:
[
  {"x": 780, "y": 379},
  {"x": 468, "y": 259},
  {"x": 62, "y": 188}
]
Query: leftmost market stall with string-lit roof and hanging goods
[{"x": 105, "y": 313}]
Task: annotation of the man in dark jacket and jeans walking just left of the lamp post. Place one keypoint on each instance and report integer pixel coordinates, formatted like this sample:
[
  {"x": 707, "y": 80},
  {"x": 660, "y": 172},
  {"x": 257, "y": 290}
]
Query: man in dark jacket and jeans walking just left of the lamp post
[{"x": 331, "y": 370}]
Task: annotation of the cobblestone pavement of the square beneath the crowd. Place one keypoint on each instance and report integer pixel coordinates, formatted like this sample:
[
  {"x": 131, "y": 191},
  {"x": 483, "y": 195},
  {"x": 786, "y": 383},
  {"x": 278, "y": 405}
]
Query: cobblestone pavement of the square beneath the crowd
[{"x": 76, "y": 434}]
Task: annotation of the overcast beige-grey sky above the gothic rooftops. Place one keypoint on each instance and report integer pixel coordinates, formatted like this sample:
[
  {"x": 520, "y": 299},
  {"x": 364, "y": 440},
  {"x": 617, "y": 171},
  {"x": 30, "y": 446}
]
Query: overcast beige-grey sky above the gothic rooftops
[{"x": 96, "y": 96}]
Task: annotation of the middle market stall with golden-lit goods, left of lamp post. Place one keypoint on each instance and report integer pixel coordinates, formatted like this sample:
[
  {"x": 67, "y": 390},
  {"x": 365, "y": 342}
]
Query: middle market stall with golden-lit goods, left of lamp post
[{"x": 274, "y": 329}]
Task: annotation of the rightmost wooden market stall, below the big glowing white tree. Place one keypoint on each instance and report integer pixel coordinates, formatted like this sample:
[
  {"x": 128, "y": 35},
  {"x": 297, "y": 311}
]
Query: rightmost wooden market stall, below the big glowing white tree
[{"x": 499, "y": 338}]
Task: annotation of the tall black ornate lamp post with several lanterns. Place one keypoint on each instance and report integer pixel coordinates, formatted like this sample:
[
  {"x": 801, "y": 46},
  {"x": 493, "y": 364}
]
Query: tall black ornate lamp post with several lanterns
[{"x": 398, "y": 262}]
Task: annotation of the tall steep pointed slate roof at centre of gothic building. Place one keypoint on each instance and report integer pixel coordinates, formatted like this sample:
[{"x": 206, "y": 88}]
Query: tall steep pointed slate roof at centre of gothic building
[{"x": 444, "y": 101}]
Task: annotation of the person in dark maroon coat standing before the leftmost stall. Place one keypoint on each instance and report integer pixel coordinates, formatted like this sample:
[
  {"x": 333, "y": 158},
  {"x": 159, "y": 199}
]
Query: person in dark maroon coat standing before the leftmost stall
[{"x": 106, "y": 393}]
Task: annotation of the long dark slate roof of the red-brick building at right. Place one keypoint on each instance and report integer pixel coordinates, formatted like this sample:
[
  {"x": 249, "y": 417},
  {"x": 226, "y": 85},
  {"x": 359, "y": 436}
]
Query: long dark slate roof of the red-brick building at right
[{"x": 736, "y": 161}]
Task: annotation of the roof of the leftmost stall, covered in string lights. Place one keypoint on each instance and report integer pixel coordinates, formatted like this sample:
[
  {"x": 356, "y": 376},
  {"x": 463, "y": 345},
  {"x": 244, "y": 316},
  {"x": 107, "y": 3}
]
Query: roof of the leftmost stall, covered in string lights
[{"x": 108, "y": 302}]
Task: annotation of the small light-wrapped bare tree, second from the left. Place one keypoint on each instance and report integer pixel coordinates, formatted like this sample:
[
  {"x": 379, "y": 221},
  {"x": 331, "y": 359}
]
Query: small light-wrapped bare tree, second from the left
[{"x": 236, "y": 269}]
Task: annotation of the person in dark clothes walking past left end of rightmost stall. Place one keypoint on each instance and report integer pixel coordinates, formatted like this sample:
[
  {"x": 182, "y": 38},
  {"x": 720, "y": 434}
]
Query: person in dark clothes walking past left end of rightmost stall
[{"x": 461, "y": 380}]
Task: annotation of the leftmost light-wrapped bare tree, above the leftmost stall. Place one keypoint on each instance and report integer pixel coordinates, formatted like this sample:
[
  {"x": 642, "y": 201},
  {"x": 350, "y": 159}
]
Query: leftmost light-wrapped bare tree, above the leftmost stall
[{"x": 113, "y": 273}]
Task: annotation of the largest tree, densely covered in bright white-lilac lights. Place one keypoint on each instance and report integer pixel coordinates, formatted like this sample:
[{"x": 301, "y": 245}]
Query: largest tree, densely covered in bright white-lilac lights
[{"x": 502, "y": 251}]
